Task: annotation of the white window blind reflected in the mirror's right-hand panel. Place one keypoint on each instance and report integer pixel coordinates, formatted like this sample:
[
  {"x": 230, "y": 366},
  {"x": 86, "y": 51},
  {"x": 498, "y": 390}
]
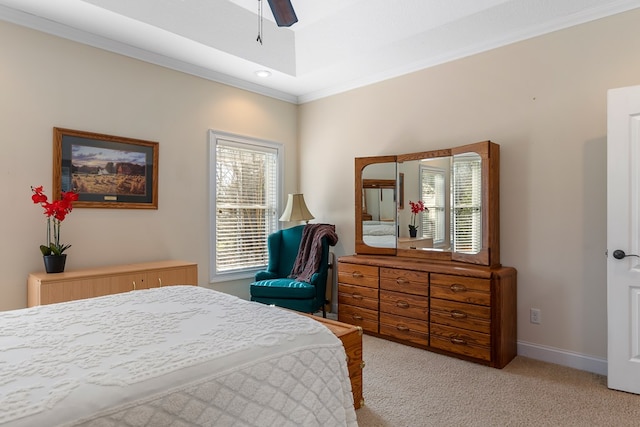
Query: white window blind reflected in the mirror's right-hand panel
[{"x": 467, "y": 204}]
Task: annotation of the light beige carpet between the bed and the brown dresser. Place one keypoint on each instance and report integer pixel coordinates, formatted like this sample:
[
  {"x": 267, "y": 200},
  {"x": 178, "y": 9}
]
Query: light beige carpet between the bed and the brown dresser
[{"x": 406, "y": 386}]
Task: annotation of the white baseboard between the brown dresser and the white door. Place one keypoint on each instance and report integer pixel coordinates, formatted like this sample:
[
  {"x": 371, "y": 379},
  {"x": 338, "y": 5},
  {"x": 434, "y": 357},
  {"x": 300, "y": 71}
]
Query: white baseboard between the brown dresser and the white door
[{"x": 563, "y": 357}]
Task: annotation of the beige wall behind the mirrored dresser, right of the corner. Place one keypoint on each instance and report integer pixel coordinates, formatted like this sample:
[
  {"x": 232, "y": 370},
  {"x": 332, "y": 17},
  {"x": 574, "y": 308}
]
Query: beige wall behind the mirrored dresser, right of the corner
[{"x": 544, "y": 102}]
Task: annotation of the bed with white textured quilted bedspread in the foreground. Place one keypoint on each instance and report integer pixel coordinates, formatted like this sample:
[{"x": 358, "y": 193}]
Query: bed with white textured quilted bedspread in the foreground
[{"x": 175, "y": 355}]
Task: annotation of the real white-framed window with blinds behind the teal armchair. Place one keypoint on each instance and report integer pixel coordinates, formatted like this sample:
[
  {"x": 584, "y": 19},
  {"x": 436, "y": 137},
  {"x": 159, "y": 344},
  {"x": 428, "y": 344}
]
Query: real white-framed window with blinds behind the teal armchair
[{"x": 245, "y": 177}]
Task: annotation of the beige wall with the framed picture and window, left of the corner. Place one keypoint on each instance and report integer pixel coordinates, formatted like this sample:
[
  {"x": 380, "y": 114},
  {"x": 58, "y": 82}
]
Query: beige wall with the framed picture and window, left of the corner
[{"x": 46, "y": 81}]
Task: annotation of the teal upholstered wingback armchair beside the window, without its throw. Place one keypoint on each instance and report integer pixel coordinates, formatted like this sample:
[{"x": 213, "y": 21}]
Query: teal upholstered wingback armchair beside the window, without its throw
[{"x": 274, "y": 286}]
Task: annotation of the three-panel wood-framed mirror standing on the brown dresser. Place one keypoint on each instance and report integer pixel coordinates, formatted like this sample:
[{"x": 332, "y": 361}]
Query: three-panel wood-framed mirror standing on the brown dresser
[{"x": 459, "y": 189}]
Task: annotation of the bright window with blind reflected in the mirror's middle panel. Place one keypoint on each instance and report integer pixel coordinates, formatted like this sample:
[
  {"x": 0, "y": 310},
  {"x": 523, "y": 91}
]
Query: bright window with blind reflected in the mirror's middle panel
[{"x": 432, "y": 190}]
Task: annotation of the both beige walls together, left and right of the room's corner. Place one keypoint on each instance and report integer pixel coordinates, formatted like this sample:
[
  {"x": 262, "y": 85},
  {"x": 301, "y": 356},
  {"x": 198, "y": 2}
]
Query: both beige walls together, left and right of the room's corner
[{"x": 542, "y": 100}]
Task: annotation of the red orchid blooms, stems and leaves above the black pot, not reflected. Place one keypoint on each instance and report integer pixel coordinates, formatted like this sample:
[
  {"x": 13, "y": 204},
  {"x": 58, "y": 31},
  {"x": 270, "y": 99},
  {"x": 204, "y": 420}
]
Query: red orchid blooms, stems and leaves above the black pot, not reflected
[{"x": 55, "y": 212}]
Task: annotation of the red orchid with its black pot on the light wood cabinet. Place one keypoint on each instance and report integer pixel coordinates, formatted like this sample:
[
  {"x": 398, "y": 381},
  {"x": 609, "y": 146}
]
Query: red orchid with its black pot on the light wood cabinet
[{"x": 55, "y": 211}]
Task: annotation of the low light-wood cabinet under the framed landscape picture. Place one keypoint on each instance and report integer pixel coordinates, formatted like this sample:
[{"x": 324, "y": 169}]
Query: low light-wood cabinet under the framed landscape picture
[{"x": 43, "y": 288}]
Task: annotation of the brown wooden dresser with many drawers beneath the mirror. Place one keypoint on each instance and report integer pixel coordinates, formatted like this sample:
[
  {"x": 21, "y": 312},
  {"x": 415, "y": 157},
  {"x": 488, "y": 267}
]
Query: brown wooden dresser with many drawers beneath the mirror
[{"x": 458, "y": 309}]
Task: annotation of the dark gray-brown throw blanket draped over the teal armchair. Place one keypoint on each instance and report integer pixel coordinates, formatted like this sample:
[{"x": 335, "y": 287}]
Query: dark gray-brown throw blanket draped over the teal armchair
[{"x": 310, "y": 252}]
